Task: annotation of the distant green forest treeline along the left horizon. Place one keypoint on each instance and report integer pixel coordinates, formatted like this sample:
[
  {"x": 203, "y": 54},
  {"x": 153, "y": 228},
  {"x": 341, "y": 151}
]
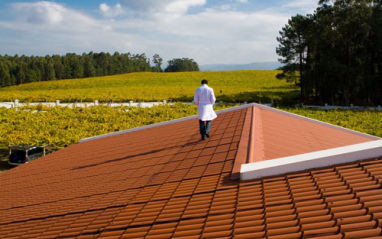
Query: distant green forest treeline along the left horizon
[{"x": 16, "y": 70}]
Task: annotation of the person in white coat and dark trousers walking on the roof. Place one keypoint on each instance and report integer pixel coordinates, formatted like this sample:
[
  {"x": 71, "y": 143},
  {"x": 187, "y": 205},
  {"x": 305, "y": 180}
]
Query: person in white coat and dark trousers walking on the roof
[{"x": 204, "y": 98}]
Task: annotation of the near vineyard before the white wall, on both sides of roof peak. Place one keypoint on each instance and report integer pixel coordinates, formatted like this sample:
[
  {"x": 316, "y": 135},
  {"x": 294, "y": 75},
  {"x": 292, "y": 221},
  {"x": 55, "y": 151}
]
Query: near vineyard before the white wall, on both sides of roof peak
[{"x": 62, "y": 126}]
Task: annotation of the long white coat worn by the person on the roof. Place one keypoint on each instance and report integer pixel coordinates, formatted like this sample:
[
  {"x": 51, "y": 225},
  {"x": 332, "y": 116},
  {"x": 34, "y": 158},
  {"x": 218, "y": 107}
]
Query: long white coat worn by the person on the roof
[{"x": 204, "y": 98}]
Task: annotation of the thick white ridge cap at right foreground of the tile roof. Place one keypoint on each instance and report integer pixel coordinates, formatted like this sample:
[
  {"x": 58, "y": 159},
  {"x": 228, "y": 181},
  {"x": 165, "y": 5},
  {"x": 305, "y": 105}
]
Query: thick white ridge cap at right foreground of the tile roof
[{"x": 316, "y": 159}]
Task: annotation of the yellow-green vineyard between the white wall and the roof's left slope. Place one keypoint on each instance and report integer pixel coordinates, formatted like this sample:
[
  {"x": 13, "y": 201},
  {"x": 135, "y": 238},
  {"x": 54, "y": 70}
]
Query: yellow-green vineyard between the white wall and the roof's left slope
[{"x": 63, "y": 126}]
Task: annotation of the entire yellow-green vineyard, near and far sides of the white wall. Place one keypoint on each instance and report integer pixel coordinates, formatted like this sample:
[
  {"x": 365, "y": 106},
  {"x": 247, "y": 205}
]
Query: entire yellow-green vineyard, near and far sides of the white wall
[{"x": 62, "y": 126}]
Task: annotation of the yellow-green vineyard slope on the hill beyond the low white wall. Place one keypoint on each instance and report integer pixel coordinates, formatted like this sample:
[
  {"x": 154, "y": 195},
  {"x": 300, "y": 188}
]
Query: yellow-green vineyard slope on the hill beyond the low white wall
[{"x": 229, "y": 86}]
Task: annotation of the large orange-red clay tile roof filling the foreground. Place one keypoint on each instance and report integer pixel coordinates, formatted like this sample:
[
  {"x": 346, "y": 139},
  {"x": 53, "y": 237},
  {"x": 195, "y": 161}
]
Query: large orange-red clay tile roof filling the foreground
[{"x": 162, "y": 181}]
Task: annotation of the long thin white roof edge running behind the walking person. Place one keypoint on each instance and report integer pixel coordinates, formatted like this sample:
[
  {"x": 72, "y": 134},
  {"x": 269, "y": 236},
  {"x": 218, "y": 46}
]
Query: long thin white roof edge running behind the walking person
[{"x": 162, "y": 123}]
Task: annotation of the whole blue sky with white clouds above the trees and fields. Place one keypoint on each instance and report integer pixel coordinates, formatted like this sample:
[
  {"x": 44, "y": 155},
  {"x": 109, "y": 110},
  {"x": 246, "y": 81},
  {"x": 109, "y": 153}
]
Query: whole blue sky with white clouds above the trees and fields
[{"x": 208, "y": 31}]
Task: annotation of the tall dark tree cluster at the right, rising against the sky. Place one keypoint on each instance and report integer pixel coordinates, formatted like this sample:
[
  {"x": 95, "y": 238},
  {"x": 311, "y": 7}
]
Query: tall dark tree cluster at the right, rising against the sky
[{"x": 335, "y": 54}]
